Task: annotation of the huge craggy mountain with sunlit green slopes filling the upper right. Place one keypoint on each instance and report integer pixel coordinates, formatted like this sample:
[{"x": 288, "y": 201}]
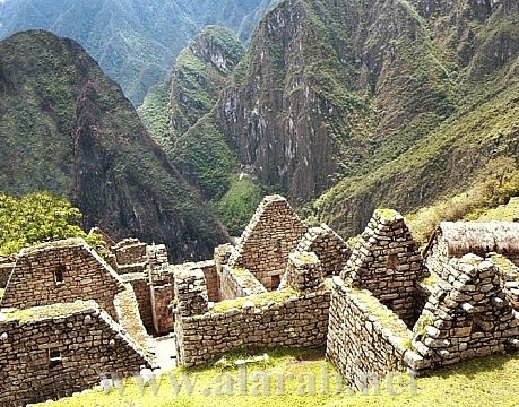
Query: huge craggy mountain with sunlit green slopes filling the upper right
[{"x": 348, "y": 105}]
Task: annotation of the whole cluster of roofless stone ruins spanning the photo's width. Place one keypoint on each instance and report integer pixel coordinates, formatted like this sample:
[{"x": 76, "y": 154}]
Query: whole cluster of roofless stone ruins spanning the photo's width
[{"x": 69, "y": 316}]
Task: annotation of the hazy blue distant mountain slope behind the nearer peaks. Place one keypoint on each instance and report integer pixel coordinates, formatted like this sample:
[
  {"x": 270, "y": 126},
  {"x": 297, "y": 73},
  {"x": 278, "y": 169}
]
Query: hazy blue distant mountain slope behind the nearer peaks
[{"x": 134, "y": 41}]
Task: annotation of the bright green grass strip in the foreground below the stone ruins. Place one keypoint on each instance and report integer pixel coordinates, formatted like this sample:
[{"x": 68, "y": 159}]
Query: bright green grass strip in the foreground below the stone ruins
[{"x": 482, "y": 382}]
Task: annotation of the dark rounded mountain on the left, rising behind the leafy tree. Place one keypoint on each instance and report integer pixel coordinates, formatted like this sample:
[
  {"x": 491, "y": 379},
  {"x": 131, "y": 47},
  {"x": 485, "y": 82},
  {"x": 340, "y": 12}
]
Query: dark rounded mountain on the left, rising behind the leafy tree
[{"x": 68, "y": 129}]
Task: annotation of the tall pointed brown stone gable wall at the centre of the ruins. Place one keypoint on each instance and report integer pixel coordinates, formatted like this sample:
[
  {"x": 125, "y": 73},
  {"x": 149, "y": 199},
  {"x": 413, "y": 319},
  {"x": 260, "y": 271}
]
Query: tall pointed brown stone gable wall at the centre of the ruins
[{"x": 273, "y": 232}]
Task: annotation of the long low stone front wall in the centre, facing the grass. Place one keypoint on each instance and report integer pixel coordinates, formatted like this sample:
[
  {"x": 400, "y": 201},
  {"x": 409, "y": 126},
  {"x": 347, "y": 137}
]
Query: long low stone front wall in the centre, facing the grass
[{"x": 297, "y": 322}]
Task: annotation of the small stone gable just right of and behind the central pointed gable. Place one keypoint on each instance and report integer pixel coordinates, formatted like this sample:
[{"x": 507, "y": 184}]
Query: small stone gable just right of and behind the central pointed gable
[{"x": 332, "y": 250}]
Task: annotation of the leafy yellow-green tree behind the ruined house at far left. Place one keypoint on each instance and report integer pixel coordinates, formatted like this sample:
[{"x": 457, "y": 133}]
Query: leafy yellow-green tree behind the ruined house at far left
[{"x": 38, "y": 217}]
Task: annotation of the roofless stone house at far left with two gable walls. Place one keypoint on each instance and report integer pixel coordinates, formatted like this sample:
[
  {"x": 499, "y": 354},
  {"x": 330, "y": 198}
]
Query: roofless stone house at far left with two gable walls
[{"x": 66, "y": 318}]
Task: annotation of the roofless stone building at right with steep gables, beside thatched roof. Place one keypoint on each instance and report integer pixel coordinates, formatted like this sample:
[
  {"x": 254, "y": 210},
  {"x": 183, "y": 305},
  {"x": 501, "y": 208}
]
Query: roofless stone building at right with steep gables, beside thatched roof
[{"x": 470, "y": 310}]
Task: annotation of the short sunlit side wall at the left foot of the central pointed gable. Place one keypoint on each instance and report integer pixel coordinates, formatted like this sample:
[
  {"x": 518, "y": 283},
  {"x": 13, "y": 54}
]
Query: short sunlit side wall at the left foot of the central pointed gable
[{"x": 238, "y": 282}]
